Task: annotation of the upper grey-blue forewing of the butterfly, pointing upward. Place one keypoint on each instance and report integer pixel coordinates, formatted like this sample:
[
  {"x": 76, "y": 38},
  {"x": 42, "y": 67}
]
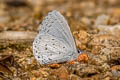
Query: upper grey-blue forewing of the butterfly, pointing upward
[{"x": 56, "y": 25}]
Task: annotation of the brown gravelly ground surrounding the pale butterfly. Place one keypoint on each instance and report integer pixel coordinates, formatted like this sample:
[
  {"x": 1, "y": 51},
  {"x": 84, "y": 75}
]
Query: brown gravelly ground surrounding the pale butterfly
[{"x": 92, "y": 22}]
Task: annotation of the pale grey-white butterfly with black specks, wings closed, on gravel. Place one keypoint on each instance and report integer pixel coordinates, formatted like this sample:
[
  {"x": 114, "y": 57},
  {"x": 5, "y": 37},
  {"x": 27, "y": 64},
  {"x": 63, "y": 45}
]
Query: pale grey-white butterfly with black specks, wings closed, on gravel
[{"x": 54, "y": 42}]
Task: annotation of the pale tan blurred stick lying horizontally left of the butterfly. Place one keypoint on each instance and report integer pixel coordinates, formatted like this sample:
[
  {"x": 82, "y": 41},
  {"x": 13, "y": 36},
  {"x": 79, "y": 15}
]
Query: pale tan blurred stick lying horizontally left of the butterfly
[{"x": 8, "y": 38}]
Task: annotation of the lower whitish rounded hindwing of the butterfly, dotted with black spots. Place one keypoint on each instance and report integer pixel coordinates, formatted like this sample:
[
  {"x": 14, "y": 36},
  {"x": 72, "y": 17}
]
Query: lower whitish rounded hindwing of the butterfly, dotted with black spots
[{"x": 48, "y": 50}]
